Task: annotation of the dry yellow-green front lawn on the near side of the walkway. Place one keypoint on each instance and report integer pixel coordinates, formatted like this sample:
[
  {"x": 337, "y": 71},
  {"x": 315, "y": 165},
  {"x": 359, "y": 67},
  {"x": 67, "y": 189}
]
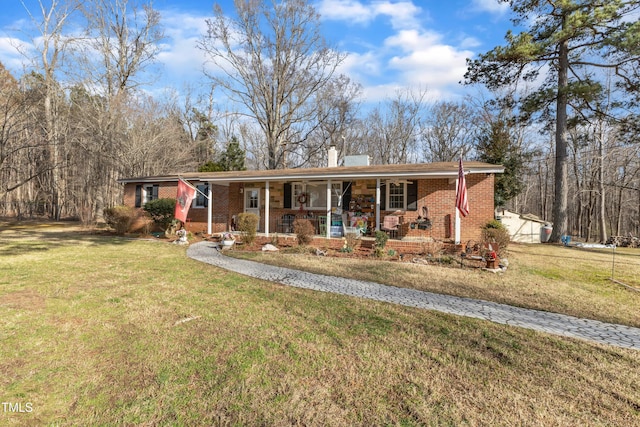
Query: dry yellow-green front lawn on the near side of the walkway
[{"x": 107, "y": 348}]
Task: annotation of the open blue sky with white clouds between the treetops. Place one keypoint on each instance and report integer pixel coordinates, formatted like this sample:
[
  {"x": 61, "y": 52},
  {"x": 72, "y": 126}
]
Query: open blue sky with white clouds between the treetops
[{"x": 392, "y": 44}]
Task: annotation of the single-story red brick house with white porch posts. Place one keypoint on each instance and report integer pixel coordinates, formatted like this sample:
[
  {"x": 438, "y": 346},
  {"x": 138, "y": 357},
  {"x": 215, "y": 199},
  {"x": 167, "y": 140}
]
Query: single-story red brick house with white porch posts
[{"x": 414, "y": 200}]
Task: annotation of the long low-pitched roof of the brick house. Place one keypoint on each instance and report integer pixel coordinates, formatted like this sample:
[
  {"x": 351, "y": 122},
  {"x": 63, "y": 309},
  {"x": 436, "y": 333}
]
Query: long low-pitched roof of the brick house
[{"x": 414, "y": 170}]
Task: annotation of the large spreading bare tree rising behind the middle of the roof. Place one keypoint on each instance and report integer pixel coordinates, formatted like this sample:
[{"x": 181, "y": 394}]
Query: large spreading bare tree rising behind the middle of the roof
[{"x": 272, "y": 60}]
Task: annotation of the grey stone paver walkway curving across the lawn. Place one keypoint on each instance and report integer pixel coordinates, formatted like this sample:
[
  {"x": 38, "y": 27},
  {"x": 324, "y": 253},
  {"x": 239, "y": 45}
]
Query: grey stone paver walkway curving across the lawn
[{"x": 559, "y": 324}]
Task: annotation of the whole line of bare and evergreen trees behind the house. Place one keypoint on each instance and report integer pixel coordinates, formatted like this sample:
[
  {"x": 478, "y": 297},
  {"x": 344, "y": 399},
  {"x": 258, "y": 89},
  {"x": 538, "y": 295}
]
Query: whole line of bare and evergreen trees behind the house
[{"x": 82, "y": 117}]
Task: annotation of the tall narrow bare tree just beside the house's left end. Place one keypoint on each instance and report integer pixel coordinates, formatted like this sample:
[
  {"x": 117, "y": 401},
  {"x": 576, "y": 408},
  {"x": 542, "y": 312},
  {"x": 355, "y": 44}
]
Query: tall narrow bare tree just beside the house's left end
[{"x": 124, "y": 36}]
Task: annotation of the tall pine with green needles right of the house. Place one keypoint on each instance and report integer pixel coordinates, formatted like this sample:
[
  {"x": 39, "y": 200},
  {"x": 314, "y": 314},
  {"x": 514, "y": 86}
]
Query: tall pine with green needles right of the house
[{"x": 573, "y": 42}]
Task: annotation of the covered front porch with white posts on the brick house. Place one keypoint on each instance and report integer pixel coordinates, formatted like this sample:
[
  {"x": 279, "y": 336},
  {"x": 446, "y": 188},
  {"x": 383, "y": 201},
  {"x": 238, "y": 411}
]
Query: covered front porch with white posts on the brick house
[{"x": 407, "y": 206}]
